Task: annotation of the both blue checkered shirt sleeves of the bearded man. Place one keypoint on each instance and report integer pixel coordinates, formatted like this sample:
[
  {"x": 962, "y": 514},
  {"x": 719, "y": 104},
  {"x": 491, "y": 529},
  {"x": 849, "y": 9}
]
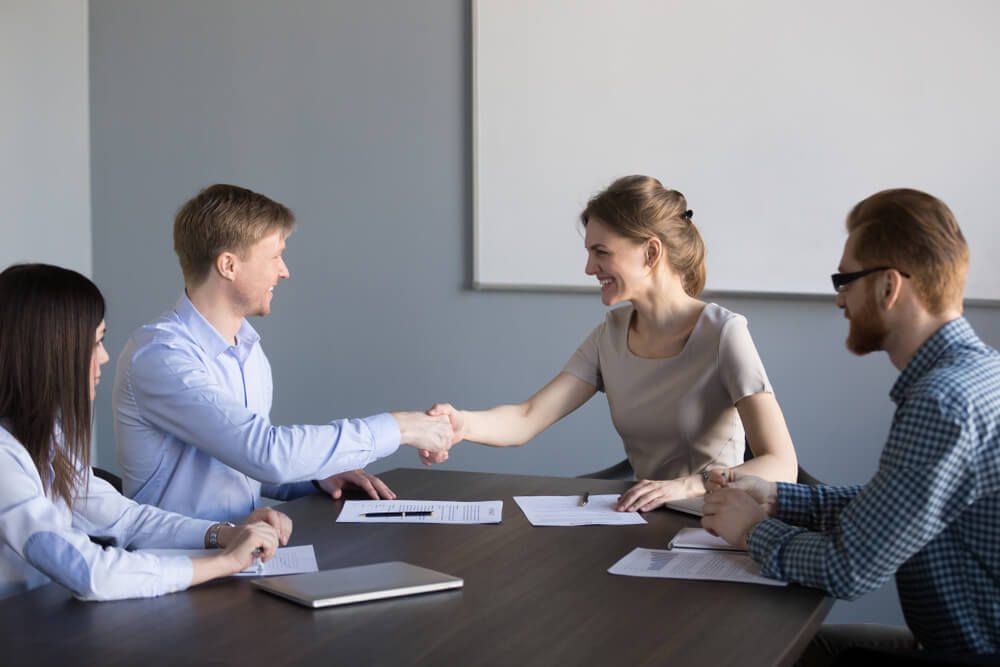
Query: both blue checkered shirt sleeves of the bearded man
[{"x": 924, "y": 481}]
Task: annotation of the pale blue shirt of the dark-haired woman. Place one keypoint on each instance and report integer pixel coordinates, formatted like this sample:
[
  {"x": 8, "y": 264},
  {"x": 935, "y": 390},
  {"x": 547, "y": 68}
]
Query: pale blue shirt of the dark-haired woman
[{"x": 41, "y": 540}]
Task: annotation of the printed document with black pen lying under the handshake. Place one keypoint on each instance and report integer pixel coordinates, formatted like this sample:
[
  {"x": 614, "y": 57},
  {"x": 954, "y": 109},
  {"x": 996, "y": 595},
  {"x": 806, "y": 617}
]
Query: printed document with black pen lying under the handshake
[{"x": 441, "y": 511}]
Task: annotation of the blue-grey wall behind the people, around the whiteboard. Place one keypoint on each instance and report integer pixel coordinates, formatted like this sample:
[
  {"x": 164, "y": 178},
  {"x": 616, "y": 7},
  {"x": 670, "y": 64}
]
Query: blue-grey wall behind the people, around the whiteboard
[{"x": 357, "y": 115}]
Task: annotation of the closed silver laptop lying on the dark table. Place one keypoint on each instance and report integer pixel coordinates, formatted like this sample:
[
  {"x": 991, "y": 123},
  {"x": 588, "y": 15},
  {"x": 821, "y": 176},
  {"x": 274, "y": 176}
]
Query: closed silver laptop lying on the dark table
[{"x": 358, "y": 584}]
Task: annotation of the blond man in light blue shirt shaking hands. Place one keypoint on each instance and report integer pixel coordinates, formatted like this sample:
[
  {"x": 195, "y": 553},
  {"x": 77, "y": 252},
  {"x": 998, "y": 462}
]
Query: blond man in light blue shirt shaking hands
[{"x": 193, "y": 388}]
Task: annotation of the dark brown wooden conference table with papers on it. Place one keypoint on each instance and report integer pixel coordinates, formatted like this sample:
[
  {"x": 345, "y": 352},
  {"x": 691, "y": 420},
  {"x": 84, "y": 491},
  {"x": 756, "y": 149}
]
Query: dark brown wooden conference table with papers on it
[{"x": 532, "y": 596}]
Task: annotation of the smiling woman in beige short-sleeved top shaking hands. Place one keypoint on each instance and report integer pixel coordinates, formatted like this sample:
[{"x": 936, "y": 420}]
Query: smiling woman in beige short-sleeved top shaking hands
[{"x": 683, "y": 379}]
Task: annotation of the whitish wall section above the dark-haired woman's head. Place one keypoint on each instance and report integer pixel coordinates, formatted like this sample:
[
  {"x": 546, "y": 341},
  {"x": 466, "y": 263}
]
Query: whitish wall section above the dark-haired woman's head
[{"x": 45, "y": 133}]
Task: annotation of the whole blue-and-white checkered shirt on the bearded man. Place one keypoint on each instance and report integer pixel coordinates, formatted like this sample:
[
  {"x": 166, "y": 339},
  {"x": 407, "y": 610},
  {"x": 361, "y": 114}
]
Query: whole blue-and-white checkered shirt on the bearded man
[{"x": 931, "y": 513}]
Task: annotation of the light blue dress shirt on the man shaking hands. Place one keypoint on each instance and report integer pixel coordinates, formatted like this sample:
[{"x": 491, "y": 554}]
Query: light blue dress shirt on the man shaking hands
[{"x": 193, "y": 429}]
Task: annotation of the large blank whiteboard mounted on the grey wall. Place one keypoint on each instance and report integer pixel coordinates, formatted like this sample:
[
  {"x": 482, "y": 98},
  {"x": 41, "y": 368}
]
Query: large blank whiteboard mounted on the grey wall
[{"x": 773, "y": 117}]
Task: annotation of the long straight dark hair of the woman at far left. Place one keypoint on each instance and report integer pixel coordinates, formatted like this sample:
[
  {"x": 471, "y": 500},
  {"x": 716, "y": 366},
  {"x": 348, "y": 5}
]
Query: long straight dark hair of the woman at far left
[{"x": 48, "y": 318}]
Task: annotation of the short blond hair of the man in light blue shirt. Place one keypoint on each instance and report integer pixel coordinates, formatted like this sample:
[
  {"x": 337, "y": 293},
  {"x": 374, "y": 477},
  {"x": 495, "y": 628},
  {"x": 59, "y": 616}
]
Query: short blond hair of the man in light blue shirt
[{"x": 224, "y": 218}]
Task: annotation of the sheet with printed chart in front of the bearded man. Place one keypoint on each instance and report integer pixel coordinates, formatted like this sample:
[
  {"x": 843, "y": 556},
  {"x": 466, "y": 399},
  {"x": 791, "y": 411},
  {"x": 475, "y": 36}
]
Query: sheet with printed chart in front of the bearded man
[{"x": 704, "y": 565}]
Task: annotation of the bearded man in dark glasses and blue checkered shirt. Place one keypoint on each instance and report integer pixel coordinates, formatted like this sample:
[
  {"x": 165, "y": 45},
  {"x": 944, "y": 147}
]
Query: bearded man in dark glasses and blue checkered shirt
[{"x": 929, "y": 516}]
